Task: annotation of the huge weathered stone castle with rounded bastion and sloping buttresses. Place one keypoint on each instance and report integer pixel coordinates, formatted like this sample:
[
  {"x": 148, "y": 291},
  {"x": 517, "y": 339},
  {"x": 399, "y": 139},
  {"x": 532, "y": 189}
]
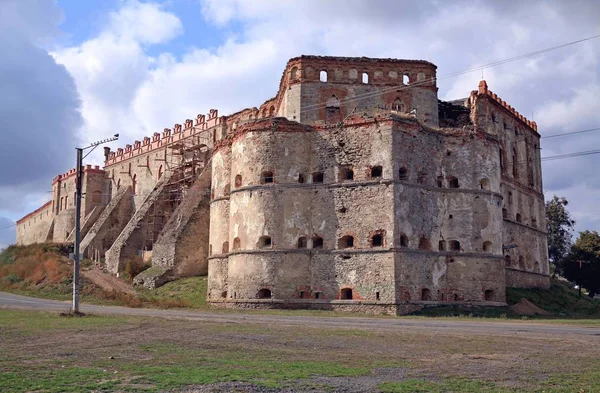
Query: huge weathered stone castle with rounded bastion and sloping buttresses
[{"x": 354, "y": 188}]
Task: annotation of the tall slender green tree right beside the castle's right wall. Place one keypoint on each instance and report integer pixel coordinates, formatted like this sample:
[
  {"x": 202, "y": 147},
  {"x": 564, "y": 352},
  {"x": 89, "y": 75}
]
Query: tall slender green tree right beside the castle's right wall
[{"x": 559, "y": 226}]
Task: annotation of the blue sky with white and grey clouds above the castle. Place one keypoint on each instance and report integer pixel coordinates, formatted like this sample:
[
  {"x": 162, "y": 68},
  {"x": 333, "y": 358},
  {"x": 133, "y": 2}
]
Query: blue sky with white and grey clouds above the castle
[{"x": 74, "y": 71}]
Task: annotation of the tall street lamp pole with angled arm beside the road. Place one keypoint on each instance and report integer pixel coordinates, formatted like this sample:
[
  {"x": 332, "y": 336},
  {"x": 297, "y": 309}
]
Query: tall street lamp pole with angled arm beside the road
[{"x": 78, "y": 194}]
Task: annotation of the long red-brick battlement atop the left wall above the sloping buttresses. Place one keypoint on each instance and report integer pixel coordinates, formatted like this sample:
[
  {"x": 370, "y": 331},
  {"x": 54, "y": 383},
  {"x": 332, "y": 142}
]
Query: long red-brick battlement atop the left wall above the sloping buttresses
[{"x": 168, "y": 136}]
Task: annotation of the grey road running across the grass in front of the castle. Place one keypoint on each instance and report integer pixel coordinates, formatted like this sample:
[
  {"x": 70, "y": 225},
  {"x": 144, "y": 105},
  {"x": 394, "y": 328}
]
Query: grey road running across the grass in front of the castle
[{"x": 12, "y": 301}]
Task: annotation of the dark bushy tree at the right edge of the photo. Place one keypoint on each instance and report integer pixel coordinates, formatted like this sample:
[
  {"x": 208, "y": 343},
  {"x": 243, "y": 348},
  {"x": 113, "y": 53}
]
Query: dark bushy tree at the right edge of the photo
[{"x": 582, "y": 265}]
